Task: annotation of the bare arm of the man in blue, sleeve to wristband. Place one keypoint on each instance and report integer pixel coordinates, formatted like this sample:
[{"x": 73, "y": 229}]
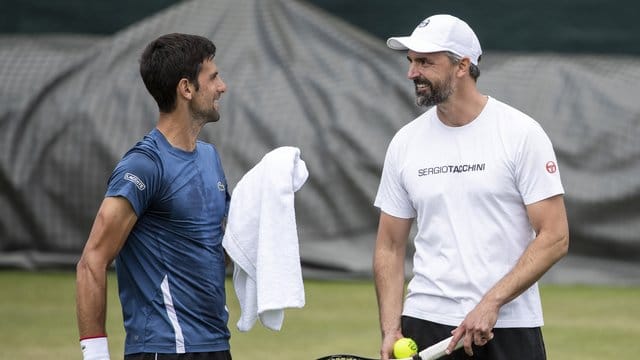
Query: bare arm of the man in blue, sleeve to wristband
[{"x": 112, "y": 225}]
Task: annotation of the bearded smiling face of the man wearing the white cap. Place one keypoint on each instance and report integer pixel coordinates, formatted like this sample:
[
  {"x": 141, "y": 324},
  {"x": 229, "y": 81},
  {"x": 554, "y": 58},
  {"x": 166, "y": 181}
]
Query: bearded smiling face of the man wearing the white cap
[{"x": 433, "y": 76}]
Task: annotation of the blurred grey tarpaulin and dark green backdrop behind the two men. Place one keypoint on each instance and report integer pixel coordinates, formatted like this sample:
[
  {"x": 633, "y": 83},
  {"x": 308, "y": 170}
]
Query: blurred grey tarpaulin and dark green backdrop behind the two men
[{"x": 317, "y": 75}]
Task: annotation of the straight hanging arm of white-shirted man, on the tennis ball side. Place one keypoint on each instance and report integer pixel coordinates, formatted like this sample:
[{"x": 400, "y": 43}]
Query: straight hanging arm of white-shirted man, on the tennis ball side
[{"x": 388, "y": 269}]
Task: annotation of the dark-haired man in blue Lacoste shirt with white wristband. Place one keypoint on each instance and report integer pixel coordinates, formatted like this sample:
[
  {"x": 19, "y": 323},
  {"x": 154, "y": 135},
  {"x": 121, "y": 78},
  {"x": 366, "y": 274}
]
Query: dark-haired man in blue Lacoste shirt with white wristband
[{"x": 161, "y": 220}]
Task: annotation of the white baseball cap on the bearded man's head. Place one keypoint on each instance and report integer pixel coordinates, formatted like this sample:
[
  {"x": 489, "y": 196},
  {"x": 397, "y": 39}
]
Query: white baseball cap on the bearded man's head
[{"x": 441, "y": 33}]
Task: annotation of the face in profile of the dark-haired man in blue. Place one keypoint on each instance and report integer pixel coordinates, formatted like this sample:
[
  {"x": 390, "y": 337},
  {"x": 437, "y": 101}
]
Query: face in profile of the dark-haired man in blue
[{"x": 204, "y": 105}]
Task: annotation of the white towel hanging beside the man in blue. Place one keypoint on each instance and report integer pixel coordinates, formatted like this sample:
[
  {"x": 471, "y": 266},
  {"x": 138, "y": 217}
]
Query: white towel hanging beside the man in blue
[{"x": 262, "y": 239}]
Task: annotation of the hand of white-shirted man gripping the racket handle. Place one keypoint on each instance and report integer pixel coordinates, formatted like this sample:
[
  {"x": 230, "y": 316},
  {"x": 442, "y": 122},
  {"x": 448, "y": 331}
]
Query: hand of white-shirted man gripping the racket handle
[{"x": 476, "y": 328}]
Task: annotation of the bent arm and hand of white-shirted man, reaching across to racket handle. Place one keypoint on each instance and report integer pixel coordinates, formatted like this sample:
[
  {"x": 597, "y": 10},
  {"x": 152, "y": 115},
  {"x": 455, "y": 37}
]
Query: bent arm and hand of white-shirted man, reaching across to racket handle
[{"x": 549, "y": 221}]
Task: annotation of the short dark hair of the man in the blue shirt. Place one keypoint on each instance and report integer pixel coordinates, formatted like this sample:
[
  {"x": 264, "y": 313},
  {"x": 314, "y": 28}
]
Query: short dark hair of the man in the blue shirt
[{"x": 170, "y": 58}]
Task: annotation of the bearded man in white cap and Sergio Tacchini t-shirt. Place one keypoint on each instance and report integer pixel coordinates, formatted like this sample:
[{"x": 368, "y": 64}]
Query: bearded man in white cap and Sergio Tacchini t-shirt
[{"x": 481, "y": 180}]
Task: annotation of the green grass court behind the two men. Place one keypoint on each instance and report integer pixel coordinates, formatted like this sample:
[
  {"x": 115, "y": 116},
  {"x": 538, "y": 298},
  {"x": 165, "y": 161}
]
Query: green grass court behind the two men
[{"x": 38, "y": 321}]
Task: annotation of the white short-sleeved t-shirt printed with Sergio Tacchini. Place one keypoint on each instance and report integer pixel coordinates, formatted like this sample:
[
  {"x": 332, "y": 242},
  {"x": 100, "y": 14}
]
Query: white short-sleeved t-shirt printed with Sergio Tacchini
[{"x": 468, "y": 187}]
